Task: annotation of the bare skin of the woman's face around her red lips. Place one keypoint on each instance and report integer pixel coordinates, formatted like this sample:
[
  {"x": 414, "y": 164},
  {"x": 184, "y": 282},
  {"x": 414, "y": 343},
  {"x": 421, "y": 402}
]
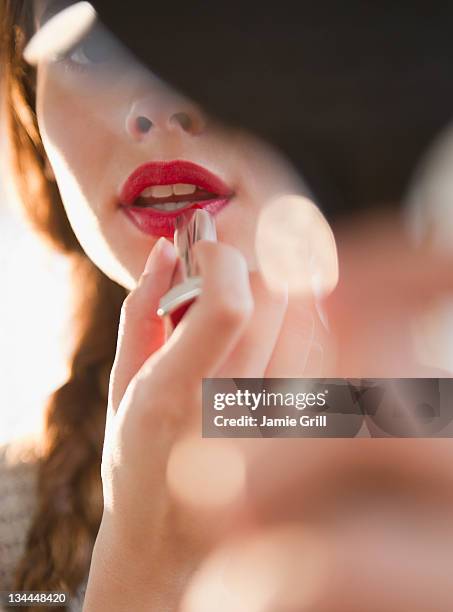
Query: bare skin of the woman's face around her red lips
[{"x": 102, "y": 100}]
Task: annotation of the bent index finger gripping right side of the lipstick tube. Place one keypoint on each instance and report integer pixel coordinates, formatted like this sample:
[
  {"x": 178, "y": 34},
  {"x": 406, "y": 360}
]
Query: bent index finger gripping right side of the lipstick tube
[{"x": 163, "y": 398}]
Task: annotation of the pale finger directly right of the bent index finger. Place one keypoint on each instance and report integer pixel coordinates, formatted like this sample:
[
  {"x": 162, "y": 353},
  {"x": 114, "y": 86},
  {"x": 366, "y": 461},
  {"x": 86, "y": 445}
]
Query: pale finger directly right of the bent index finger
[{"x": 252, "y": 353}]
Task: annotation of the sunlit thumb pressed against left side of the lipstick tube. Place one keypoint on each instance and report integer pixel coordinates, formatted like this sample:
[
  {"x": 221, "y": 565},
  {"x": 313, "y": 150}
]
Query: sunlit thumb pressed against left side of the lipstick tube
[{"x": 141, "y": 331}]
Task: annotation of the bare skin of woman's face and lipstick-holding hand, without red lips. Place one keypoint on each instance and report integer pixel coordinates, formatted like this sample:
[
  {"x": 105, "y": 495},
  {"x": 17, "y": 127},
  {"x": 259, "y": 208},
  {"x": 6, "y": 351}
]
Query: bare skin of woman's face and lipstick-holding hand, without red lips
[{"x": 148, "y": 538}]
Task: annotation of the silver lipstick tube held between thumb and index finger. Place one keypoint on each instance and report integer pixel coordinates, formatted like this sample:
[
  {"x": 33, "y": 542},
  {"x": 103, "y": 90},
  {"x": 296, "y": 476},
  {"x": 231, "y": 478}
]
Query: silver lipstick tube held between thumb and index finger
[{"x": 190, "y": 227}]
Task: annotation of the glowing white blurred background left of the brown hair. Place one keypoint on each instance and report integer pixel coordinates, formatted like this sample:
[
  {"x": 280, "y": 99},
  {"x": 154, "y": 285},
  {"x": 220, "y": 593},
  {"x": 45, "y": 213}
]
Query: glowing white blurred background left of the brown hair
[{"x": 34, "y": 306}]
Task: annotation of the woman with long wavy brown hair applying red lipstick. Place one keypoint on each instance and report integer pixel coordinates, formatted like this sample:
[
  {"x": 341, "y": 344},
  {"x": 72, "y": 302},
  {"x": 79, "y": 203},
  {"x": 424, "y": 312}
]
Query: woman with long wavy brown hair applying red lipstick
[{"x": 104, "y": 154}]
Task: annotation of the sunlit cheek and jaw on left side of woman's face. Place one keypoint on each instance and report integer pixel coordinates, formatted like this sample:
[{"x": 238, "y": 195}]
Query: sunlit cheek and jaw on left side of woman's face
[{"x": 79, "y": 143}]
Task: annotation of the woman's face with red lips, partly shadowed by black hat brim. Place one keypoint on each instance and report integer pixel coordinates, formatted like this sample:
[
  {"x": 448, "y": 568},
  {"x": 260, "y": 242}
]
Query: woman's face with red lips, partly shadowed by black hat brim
[{"x": 117, "y": 138}]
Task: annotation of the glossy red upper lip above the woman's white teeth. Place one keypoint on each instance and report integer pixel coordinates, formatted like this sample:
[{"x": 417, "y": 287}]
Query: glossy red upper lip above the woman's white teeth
[{"x": 168, "y": 173}]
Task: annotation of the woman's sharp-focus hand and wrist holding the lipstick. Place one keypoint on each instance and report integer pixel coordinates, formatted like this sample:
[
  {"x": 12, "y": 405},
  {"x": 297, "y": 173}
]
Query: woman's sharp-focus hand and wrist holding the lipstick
[{"x": 148, "y": 543}]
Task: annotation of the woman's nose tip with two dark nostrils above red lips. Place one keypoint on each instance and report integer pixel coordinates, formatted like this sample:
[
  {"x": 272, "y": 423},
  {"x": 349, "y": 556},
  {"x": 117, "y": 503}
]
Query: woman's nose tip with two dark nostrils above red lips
[{"x": 150, "y": 115}]
